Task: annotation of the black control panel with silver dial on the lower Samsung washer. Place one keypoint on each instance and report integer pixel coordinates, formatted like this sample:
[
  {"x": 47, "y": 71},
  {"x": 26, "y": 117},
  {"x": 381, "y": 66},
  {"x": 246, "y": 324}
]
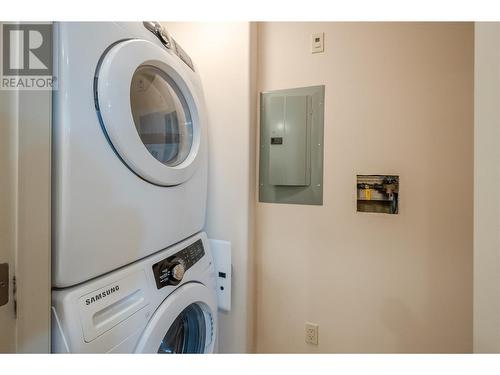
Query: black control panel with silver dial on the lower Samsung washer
[{"x": 171, "y": 270}]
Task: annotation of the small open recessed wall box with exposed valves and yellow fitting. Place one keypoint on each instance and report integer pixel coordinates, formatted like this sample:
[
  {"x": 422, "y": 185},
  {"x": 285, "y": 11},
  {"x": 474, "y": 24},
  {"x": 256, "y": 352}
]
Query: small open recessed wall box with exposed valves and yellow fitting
[{"x": 378, "y": 193}]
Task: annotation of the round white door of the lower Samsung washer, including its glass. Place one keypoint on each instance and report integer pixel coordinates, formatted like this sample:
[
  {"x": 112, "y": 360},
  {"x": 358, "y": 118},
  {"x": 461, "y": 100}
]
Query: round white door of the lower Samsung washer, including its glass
[{"x": 186, "y": 322}]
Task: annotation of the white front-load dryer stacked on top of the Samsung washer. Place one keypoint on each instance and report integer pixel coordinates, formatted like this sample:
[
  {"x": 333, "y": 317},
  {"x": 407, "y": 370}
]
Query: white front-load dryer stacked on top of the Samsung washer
[{"x": 129, "y": 147}]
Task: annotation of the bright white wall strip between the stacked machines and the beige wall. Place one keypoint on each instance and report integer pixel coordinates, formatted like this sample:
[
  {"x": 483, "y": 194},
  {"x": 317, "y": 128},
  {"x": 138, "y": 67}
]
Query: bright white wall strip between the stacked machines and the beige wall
[{"x": 221, "y": 52}]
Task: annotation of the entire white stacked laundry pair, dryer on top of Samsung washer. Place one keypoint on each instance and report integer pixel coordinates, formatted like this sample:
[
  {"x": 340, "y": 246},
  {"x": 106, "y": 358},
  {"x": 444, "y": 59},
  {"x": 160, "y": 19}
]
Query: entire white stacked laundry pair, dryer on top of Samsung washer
[{"x": 132, "y": 271}]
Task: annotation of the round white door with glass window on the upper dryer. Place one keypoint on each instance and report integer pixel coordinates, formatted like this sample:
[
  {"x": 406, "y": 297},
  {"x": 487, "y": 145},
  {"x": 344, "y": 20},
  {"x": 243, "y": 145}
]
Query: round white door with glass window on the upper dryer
[{"x": 151, "y": 110}]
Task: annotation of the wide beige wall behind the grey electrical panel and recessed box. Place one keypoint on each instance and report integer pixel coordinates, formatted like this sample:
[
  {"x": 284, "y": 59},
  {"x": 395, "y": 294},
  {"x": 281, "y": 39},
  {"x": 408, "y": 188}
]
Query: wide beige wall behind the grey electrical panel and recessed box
[{"x": 399, "y": 100}]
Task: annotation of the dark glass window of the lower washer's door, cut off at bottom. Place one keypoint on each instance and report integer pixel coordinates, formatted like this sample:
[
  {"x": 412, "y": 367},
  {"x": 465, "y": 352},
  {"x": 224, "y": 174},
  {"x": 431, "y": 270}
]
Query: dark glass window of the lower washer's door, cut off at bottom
[{"x": 187, "y": 334}]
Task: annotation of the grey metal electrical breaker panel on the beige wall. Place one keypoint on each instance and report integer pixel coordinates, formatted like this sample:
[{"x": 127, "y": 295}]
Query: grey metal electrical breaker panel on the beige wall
[{"x": 291, "y": 146}]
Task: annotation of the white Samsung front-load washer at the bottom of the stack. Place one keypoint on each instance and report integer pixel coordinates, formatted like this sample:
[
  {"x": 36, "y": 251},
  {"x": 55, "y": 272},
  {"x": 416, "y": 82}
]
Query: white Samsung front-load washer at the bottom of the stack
[{"x": 165, "y": 303}]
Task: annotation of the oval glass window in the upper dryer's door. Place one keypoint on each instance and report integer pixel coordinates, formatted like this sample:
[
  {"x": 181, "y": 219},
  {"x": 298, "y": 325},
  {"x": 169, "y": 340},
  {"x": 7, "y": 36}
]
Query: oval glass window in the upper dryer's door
[{"x": 161, "y": 115}]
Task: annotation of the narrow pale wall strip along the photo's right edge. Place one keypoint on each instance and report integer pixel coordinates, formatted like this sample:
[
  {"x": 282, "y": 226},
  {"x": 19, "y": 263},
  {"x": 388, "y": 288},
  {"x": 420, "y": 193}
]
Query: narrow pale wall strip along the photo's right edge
[{"x": 487, "y": 182}]
